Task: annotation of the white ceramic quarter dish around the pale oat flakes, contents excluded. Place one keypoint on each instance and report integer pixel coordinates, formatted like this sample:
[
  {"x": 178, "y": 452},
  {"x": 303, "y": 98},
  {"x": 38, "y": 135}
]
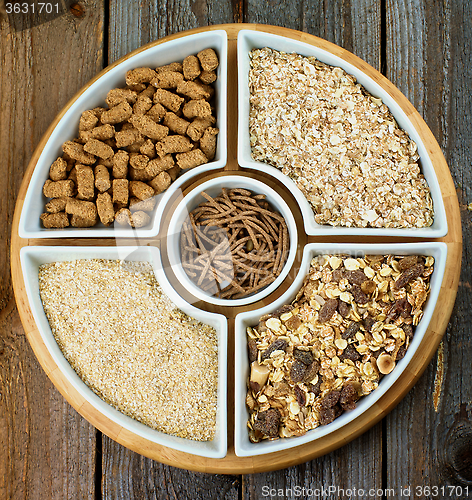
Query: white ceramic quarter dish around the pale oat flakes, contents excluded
[{"x": 249, "y": 40}]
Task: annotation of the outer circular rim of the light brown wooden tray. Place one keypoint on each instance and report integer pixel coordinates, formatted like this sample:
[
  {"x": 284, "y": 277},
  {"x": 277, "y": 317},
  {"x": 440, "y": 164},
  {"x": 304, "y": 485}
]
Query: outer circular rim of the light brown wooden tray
[{"x": 232, "y": 464}]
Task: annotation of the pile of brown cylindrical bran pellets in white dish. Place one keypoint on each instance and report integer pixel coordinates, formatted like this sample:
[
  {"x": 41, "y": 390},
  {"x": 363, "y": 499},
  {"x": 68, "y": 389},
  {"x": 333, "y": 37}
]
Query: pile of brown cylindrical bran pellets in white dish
[{"x": 160, "y": 123}]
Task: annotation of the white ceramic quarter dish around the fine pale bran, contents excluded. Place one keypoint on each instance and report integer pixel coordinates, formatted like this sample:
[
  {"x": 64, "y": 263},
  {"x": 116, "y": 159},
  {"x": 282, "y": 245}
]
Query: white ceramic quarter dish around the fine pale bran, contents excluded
[{"x": 32, "y": 257}]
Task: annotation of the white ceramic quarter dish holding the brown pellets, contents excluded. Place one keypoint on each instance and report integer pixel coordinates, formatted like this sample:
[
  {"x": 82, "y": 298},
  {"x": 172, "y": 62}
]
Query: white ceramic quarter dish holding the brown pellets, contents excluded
[{"x": 94, "y": 95}]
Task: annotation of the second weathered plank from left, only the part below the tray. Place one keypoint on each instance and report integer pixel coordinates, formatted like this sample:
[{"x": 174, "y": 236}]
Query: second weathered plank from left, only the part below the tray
[{"x": 129, "y": 476}]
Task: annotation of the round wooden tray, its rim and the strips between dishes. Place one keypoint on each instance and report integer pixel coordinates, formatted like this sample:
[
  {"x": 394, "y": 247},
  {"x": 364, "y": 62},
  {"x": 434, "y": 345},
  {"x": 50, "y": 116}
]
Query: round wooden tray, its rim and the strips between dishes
[{"x": 232, "y": 464}]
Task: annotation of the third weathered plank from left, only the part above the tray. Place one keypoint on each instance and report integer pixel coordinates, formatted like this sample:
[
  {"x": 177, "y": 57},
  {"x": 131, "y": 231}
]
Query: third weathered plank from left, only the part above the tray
[{"x": 352, "y": 24}]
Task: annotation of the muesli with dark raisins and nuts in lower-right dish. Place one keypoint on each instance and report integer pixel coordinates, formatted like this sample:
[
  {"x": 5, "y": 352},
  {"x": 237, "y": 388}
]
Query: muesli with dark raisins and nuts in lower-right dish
[{"x": 350, "y": 323}]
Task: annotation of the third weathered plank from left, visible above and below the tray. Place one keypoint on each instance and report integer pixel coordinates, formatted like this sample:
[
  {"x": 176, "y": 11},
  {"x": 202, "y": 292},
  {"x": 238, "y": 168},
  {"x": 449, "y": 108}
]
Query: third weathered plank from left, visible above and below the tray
[{"x": 355, "y": 25}]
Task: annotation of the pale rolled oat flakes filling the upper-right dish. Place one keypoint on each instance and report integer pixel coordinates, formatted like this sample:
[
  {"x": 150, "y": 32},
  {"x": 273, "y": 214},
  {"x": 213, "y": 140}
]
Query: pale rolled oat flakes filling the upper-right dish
[{"x": 340, "y": 145}]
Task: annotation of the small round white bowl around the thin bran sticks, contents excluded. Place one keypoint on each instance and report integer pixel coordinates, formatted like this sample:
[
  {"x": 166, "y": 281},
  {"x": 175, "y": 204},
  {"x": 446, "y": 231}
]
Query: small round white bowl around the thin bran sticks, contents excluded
[{"x": 213, "y": 187}]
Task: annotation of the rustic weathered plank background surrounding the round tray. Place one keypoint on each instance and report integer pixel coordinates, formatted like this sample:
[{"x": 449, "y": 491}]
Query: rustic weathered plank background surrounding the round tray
[{"x": 47, "y": 451}]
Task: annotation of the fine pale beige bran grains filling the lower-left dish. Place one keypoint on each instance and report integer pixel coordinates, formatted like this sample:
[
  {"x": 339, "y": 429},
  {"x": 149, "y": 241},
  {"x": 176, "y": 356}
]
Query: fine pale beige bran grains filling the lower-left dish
[{"x": 131, "y": 345}]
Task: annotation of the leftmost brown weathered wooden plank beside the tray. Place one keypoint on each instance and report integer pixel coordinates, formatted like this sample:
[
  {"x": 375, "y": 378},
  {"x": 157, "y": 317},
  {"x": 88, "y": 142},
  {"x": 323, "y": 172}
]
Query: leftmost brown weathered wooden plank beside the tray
[{"x": 46, "y": 449}]
